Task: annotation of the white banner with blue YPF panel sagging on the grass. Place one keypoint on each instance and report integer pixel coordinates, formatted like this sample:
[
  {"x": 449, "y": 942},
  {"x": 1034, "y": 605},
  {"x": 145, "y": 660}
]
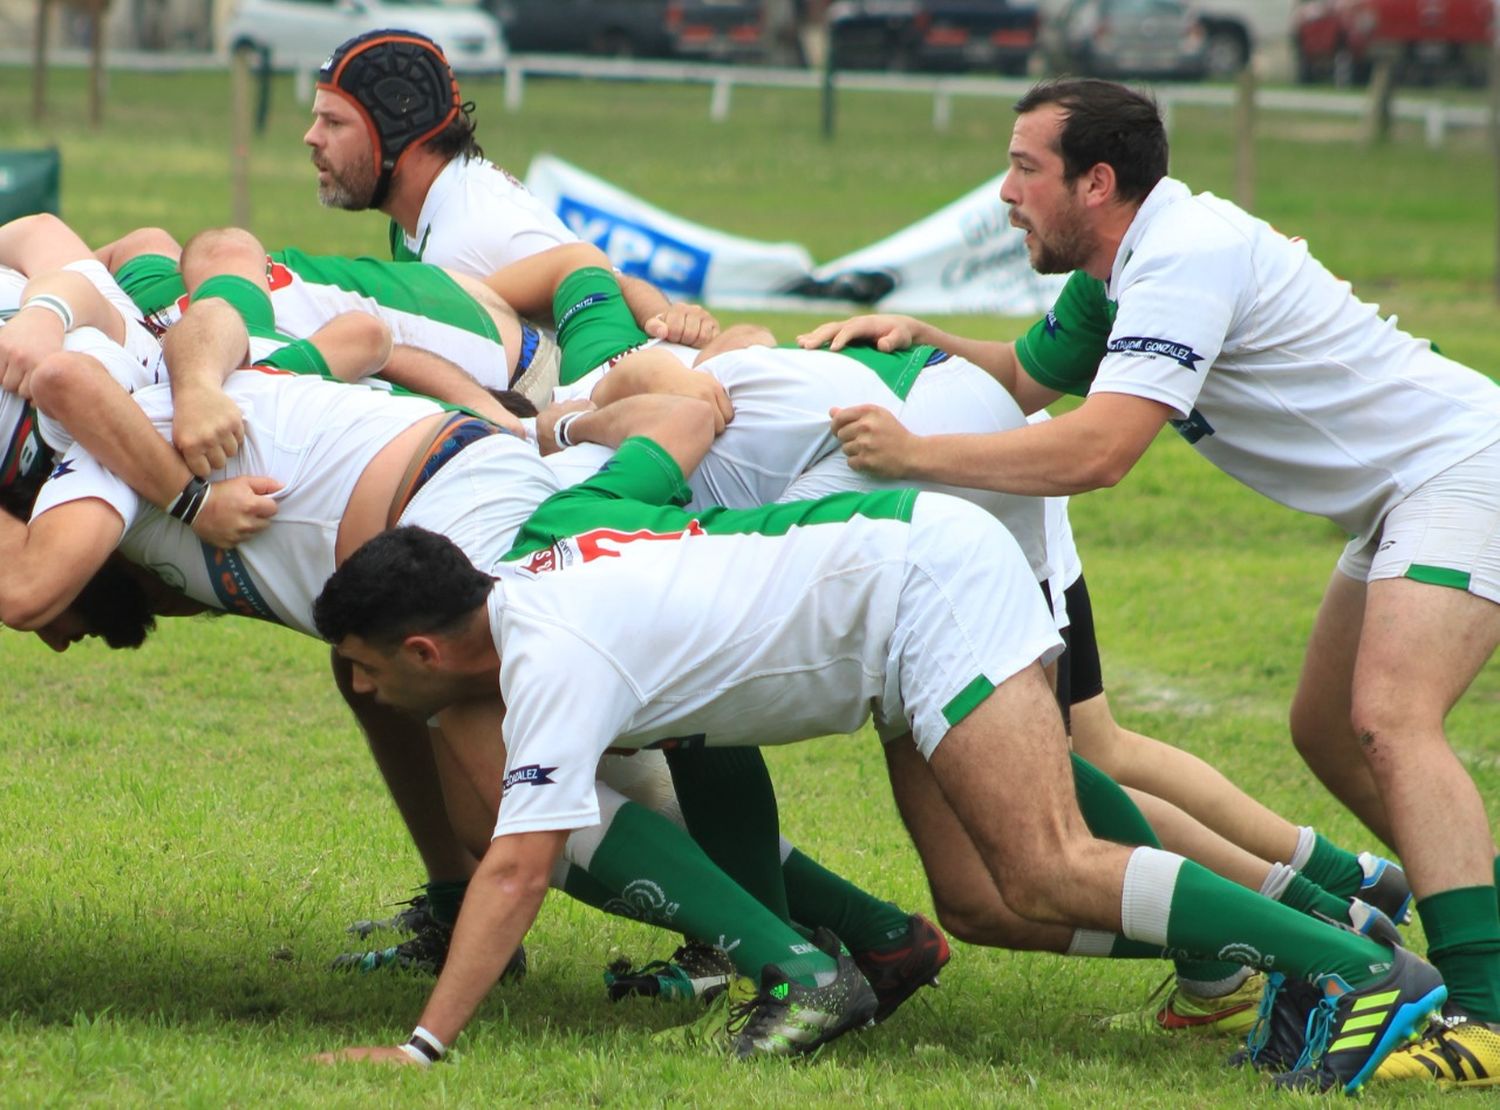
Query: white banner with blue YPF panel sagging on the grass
[{"x": 964, "y": 259}]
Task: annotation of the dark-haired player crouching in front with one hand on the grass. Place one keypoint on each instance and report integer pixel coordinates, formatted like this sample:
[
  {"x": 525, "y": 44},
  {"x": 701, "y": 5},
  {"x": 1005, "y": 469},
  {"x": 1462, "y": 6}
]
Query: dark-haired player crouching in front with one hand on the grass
[{"x": 916, "y": 605}]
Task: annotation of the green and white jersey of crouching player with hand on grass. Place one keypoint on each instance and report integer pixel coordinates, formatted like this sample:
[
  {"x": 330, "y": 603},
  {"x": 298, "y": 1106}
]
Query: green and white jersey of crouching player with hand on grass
[{"x": 623, "y": 620}]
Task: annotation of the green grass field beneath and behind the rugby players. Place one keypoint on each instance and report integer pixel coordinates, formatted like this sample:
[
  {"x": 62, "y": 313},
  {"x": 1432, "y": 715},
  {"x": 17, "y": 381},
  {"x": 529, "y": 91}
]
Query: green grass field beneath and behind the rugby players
[{"x": 187, "y": 829}]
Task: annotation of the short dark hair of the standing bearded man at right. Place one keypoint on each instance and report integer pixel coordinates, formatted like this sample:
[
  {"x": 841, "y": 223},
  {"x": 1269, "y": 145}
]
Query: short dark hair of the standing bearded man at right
[{"x": 1106, "y": 122}]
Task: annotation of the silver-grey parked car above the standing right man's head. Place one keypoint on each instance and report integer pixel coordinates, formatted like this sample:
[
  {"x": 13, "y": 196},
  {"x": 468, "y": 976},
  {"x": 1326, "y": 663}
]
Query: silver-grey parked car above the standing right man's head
[{"x": 1129, "y": 38}]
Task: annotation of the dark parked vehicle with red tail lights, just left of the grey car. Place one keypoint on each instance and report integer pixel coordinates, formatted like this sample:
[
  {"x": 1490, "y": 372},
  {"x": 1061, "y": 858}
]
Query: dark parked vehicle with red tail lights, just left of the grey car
[{"x": 934, "y": 35}]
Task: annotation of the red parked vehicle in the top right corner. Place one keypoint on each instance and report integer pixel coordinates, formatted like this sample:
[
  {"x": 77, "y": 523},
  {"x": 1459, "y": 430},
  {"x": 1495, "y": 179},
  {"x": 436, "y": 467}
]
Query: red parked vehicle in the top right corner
[{"x": 1430, "y": 40}]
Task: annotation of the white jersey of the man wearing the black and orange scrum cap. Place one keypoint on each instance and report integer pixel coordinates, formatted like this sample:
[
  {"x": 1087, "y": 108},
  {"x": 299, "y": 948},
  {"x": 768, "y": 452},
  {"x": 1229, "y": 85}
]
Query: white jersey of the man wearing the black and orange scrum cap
[{"x": 478, "y": 220}]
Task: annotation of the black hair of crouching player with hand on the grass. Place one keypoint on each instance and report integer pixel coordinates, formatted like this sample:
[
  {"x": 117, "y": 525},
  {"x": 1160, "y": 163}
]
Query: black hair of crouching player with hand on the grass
[{"x": 406, "y": 581}]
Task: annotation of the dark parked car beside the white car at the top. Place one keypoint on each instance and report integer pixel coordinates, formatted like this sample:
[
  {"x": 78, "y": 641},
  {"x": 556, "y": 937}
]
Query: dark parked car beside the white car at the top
[{"x": 614, "y": 28}]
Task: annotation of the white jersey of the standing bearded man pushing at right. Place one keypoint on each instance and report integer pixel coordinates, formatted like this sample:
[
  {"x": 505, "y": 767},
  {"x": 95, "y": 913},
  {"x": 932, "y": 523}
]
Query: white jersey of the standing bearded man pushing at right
[{"x": 1277, "y": 373}]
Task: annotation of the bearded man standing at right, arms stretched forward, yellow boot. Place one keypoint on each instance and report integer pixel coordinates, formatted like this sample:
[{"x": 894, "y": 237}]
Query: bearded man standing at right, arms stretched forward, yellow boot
[{"x": 1187, "y": 311}]
